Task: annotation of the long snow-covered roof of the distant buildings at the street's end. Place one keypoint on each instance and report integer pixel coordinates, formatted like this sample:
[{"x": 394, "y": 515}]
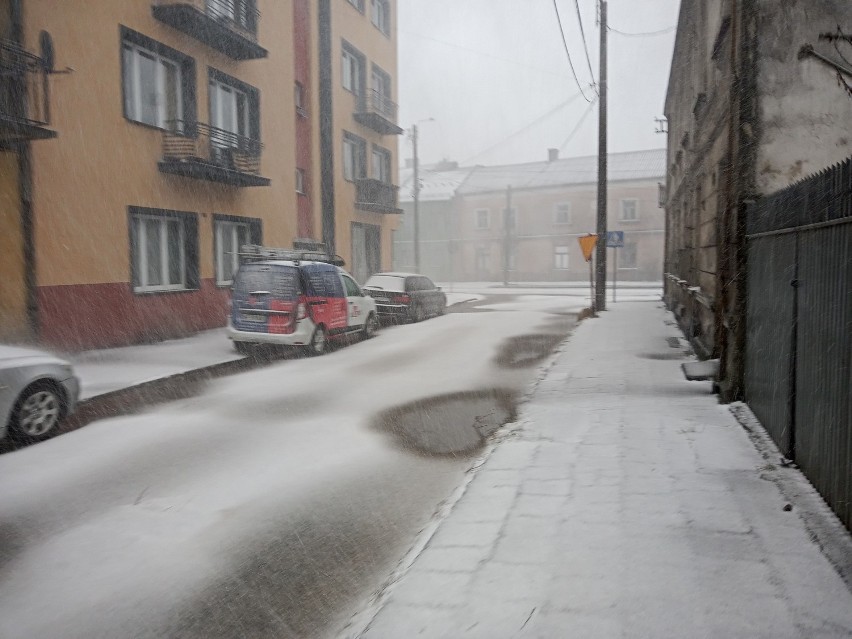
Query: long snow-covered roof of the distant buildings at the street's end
[{"x": 443, "y": 185}]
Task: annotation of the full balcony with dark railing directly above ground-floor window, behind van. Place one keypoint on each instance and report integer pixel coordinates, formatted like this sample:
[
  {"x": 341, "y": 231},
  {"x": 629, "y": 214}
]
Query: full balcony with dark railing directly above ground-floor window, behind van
[{"x": 203, "y": 152}]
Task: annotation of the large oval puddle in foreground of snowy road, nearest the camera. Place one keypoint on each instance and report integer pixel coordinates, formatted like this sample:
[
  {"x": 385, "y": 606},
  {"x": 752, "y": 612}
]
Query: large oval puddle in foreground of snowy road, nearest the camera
[{"x": 455, "y": 424}]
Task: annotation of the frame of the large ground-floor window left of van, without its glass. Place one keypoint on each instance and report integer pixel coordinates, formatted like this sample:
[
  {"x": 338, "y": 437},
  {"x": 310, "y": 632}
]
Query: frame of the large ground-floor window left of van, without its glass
[{"x": 187, "y": 246}]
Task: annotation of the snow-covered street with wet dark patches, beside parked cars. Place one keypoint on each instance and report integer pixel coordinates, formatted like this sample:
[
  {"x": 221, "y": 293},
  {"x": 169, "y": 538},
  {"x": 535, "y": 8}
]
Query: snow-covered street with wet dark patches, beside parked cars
[{"x": 272, "y": 504}]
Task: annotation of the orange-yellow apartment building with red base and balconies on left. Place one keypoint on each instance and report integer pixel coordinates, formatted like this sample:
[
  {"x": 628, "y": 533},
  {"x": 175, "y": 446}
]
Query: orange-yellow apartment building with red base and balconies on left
[{"x": 182, "y": 130}]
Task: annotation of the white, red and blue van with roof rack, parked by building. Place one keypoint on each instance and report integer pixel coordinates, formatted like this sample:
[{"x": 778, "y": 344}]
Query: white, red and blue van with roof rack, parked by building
[{"x": 297, "y": 302}]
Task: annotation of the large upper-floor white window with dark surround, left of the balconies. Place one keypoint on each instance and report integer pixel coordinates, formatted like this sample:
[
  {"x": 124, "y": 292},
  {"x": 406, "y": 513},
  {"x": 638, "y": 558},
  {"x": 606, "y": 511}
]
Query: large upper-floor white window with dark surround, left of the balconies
[{"x": 157, "y": 82}]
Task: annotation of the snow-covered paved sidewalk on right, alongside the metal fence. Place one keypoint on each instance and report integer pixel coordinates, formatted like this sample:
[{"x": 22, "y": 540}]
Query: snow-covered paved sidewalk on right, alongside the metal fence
[{"x": 628, "y": 503}]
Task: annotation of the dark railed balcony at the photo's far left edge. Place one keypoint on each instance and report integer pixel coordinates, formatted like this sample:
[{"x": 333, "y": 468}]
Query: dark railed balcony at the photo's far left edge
[{"x": 24, "y": 95}]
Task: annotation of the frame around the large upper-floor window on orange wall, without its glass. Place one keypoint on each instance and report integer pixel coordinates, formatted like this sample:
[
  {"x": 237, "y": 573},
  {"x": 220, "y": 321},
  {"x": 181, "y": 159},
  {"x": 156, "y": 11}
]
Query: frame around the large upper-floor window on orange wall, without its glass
[{"x": 139, "y": 44}]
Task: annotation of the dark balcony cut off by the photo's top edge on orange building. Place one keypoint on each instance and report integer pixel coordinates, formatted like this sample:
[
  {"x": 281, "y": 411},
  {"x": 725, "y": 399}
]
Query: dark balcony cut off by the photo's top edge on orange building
[{"x": 229, "y": 26}]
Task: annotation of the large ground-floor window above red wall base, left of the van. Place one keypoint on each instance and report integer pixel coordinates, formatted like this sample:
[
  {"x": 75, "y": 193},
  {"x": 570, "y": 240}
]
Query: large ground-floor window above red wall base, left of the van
[{"x": 163, "y": 245}]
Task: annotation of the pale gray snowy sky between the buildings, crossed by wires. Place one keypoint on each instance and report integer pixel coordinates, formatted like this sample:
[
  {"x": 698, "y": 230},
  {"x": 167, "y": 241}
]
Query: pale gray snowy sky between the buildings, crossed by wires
[{"x": 486, "y": 69}]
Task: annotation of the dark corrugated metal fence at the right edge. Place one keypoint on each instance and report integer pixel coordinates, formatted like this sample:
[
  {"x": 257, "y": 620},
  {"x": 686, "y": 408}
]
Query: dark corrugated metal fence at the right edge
[{"x": 799, "y": 322}]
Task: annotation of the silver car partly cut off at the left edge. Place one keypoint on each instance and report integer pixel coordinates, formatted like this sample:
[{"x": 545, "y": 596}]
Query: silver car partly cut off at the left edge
[{"x": 37, "y": 390}]
